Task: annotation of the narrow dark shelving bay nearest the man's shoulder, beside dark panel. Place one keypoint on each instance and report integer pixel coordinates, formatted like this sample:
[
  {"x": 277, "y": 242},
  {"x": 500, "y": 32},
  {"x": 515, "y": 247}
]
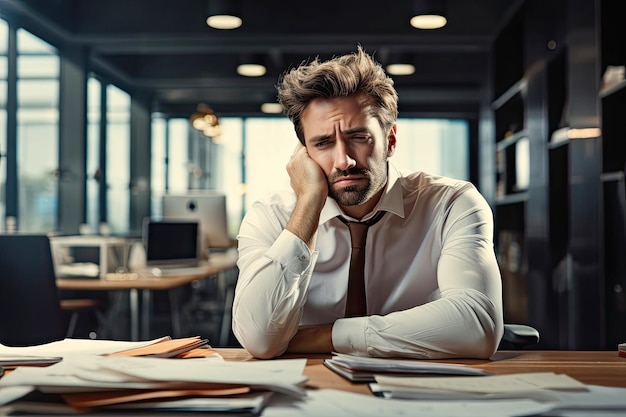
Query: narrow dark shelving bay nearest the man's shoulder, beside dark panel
[{"x": 511, "y": 147}]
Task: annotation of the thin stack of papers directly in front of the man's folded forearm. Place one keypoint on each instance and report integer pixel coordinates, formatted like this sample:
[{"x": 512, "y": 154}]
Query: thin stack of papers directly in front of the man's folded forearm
[{"x": 363, "y": 369}]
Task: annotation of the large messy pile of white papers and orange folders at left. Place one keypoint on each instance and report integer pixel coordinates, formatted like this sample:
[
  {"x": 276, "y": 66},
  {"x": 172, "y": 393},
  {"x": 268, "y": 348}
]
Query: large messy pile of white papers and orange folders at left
[{"x": 144, "y": 375}]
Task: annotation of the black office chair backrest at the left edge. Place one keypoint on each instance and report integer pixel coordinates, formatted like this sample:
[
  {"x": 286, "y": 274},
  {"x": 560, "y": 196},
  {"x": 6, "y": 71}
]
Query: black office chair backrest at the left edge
[{"x": 30, "y": 312}]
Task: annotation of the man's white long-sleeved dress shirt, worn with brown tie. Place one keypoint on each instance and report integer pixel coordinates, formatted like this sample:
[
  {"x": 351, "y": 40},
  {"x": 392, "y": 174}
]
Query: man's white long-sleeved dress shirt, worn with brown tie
[{"x": 432, "y": 281}]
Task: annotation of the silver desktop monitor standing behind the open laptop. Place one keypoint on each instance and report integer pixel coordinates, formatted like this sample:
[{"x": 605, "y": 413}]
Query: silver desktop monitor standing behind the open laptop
[{"x": 208, "y": 207}]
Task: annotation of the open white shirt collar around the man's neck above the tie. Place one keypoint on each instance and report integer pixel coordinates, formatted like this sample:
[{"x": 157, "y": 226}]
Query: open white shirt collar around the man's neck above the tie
[{"x": 391, "y": 201}]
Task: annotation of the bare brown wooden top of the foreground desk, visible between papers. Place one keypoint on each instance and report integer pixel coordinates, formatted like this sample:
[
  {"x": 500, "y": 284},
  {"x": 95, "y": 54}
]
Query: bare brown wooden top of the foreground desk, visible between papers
[{"x": 594, "y": 367}]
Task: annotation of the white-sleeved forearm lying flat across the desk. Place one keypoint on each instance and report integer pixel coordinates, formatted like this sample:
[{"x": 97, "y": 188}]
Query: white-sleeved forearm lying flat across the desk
[{"x": 462, "y": 325}]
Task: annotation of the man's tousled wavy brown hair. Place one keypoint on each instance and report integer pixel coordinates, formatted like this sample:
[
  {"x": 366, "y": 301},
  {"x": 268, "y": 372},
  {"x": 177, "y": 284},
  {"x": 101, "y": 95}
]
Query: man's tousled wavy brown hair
[{"x": 338, "y": 77}]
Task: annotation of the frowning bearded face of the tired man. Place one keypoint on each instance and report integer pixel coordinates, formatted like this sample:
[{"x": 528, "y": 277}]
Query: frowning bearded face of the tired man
[{"x": 350, "y": 146}]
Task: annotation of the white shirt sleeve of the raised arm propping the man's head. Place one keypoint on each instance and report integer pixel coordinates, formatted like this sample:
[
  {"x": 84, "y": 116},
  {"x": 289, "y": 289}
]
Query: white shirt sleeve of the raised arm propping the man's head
[{"x": 275, "y": 269}]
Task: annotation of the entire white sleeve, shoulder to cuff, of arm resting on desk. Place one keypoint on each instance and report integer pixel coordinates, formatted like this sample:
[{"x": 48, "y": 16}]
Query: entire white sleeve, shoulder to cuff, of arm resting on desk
[{"x": 464, "y": 316}]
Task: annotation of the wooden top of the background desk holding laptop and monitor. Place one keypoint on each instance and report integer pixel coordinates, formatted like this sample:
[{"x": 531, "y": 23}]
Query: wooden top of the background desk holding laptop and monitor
[{"x": 217, "y": 263}]
